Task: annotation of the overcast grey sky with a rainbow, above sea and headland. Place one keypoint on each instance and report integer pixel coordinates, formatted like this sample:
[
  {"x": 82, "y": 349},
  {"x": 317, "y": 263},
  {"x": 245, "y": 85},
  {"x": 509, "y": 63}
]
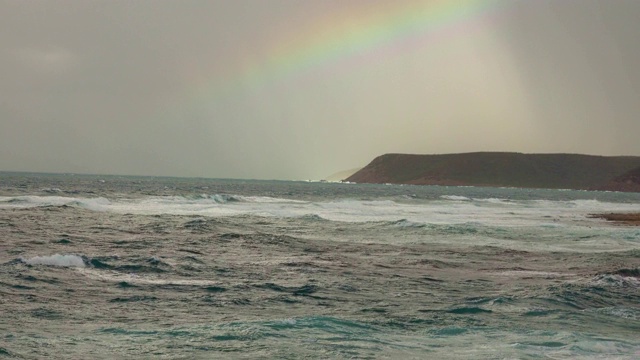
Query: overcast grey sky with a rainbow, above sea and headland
[{"x": 301, "y": 89}]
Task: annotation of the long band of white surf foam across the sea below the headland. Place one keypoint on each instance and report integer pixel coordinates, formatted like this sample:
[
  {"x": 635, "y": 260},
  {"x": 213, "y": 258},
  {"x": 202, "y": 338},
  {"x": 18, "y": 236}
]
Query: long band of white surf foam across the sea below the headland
[{"x": 449, "y": 209}]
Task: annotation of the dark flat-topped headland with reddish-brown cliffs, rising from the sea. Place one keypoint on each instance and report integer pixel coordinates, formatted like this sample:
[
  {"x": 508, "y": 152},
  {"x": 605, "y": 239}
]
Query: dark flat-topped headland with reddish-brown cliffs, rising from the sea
[{"x": 554, "y": 171}]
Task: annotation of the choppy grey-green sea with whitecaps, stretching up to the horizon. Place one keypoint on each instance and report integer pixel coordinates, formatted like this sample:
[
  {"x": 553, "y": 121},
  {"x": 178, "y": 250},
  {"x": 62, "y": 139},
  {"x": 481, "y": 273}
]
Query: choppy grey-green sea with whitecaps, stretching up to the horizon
[{"x": 140, "y": 267}]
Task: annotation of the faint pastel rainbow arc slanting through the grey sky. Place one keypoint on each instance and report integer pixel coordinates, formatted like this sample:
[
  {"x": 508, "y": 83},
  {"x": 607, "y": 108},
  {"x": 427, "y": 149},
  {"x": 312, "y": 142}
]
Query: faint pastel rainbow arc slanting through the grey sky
[{"x": 361, "y": 31}]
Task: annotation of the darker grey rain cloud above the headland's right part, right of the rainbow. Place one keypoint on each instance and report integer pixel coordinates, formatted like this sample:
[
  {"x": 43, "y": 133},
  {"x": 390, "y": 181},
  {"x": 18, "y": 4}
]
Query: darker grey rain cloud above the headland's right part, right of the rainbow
[{"x": 580, "y": 64}]
